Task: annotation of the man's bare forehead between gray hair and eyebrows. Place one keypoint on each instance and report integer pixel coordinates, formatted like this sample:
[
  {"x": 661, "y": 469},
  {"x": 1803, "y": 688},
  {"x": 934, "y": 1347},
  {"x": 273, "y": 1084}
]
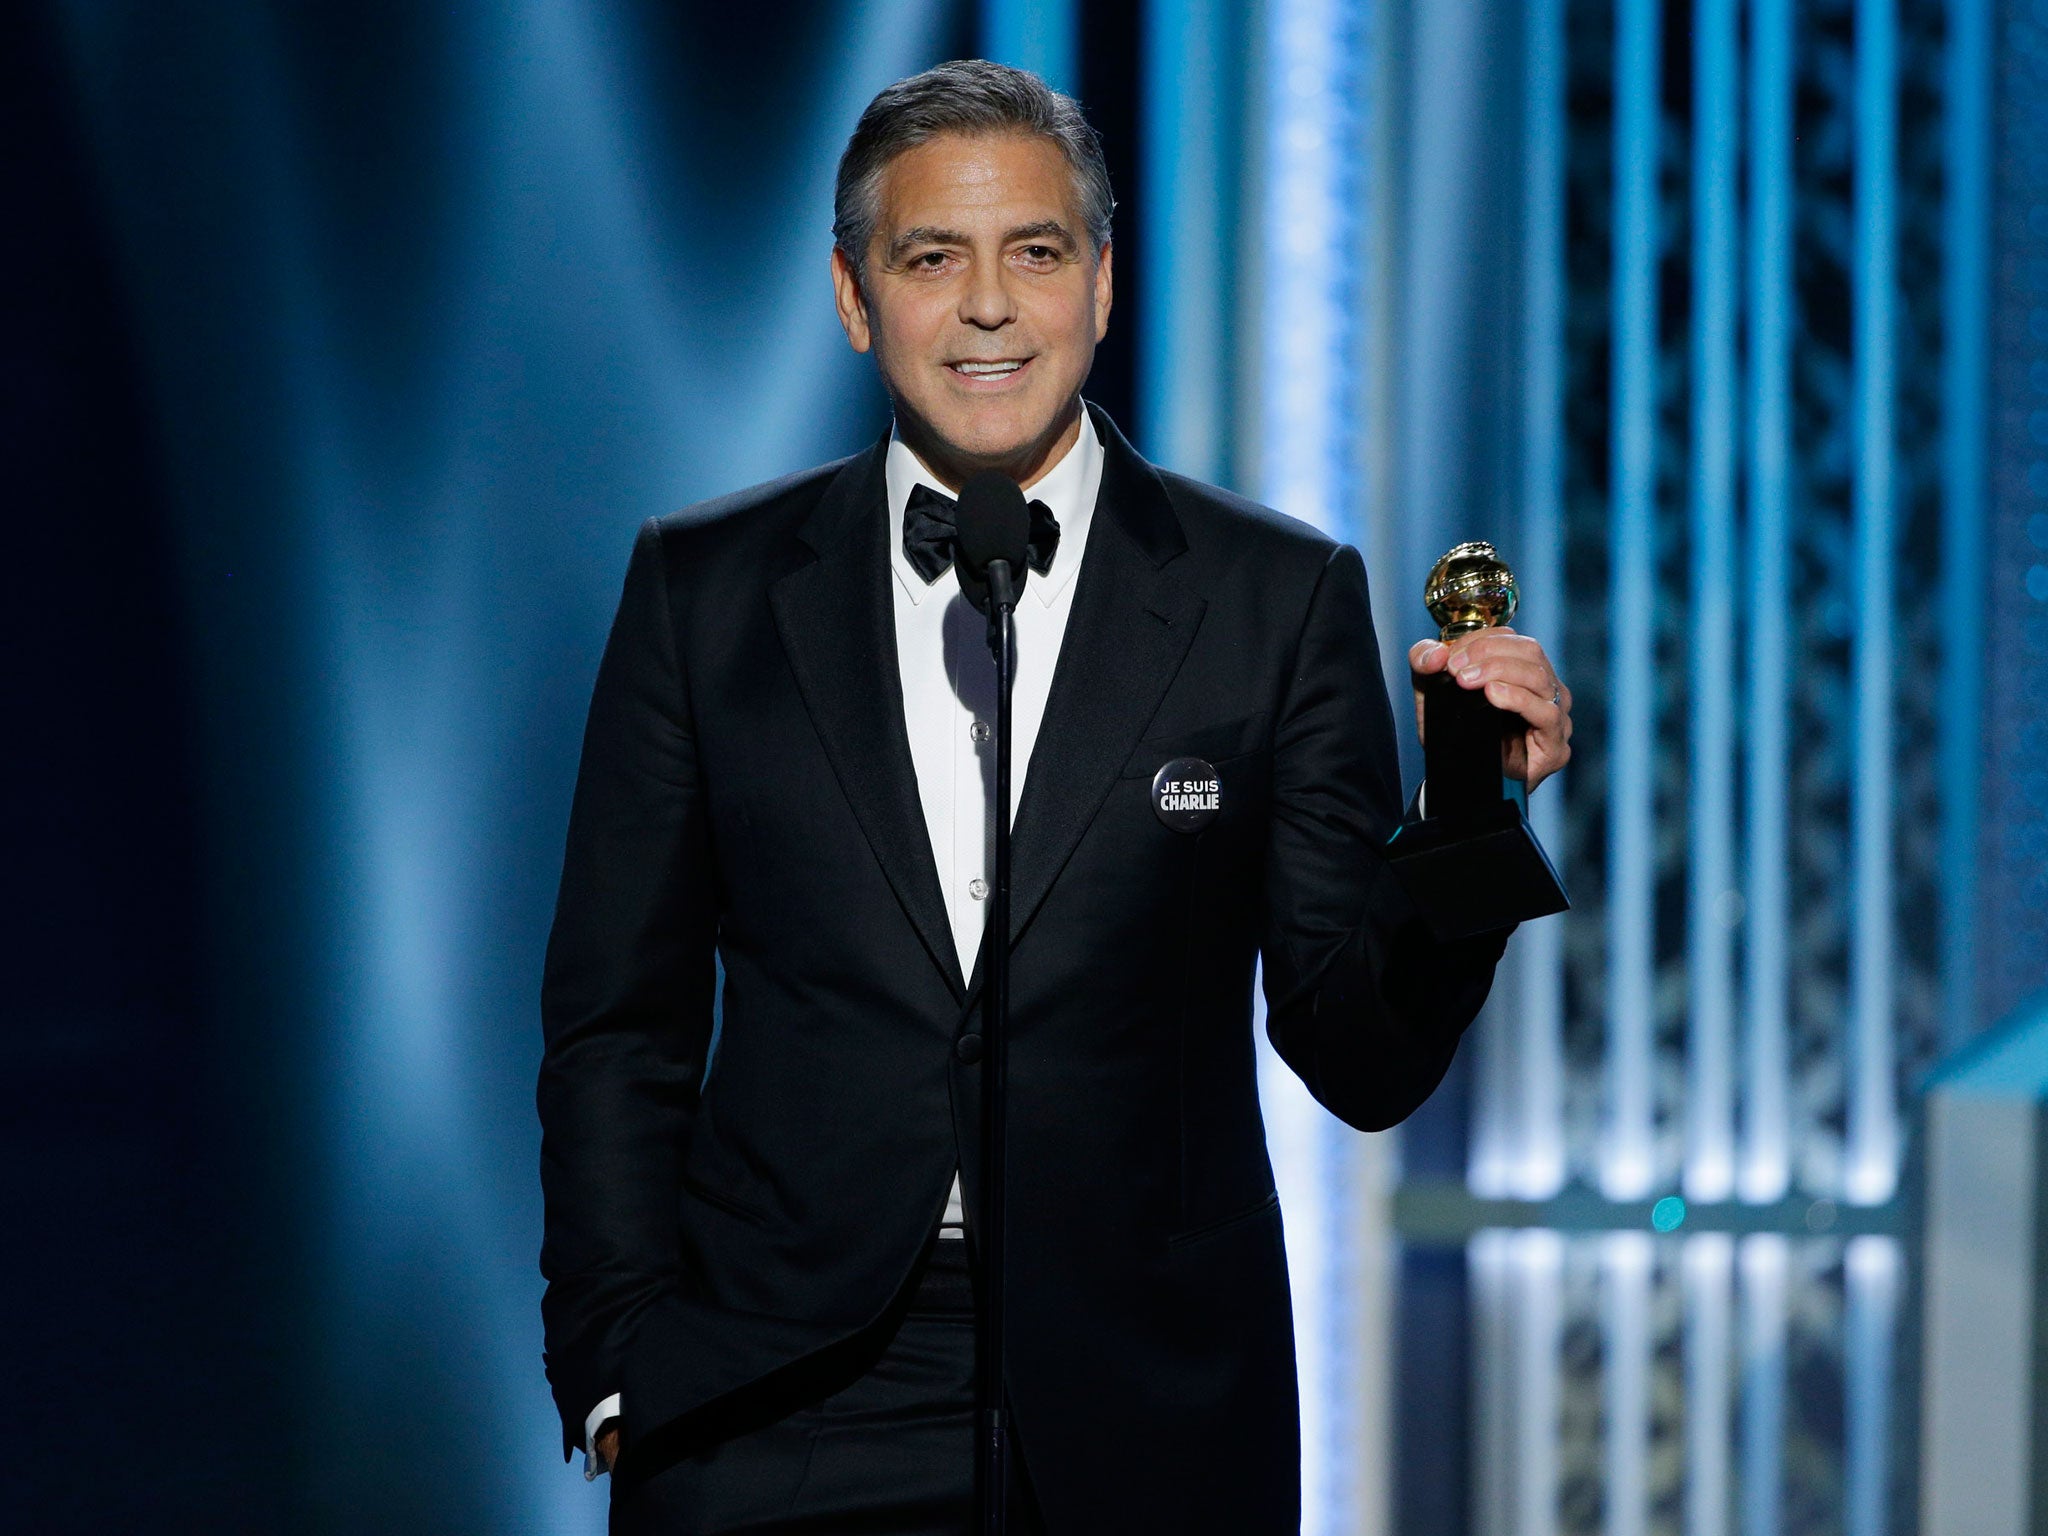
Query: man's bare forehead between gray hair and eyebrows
[{"x": 955, "y": 179}]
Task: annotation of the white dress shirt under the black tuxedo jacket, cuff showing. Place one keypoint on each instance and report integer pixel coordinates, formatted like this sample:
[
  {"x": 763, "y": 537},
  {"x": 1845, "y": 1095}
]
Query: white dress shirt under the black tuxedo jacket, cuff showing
[{"x": 949, "y": 706}]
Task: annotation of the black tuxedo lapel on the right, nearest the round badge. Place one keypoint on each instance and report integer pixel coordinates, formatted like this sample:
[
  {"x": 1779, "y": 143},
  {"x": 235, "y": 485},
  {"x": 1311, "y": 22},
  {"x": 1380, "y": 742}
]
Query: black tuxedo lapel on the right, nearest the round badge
[{"x": 1132, "y": 626}]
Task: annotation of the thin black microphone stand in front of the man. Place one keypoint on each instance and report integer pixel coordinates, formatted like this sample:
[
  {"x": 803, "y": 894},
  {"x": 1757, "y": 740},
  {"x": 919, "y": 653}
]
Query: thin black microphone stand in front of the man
[{"x": 992, "y": 1441}]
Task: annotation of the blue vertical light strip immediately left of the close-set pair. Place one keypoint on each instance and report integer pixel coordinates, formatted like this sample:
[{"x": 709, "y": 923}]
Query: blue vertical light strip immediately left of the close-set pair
[{"x": 1627, "y": 1170}]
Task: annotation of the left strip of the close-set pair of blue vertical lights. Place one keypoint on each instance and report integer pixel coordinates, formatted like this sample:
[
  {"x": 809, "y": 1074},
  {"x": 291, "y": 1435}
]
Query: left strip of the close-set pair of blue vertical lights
[{"x": 1711, "y": 673}]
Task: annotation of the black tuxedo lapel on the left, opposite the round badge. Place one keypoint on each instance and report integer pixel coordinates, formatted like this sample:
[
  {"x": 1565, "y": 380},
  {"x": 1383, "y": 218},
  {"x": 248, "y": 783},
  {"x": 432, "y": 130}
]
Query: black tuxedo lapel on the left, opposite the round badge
[{"x": 839, "y": 632}]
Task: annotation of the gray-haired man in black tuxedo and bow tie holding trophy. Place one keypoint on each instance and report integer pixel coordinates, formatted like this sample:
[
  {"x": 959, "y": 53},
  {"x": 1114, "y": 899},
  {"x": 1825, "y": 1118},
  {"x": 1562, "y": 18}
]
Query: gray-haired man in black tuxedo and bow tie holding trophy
[{"x": 757, "y": 1281}]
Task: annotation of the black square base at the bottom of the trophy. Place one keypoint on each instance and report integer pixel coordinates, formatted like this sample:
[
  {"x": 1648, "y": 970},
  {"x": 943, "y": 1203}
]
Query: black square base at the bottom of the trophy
[{"x": 1476, "y": 873}]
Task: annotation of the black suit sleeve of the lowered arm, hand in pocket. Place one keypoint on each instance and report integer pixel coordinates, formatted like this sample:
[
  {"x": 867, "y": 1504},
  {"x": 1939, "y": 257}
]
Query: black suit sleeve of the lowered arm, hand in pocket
[{"x": 626, "y": 1002}]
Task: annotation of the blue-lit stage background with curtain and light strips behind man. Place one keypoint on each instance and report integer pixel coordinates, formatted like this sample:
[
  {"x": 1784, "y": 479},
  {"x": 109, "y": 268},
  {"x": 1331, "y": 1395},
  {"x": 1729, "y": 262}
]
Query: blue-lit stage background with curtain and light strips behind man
[{"x": 349, "y": 345}]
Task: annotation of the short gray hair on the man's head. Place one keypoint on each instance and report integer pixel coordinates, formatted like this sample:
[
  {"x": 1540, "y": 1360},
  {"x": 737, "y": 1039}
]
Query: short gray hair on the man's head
[{"x": 964, "y": 97}]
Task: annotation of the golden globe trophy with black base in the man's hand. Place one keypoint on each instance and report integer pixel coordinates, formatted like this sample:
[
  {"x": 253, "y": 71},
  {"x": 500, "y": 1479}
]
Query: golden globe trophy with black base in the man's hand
[{"x": 1471, "y": 865}]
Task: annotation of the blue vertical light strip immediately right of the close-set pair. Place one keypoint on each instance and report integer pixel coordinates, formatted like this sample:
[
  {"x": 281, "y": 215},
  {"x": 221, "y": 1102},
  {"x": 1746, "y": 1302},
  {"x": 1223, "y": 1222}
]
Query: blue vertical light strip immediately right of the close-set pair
[{"x": 1873, "y": 1140}]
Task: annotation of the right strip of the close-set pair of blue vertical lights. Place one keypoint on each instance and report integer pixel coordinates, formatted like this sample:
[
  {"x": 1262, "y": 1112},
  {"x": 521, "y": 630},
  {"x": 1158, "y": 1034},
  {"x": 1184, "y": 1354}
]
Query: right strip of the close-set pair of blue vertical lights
[{"x": 1766, "y": 1134}]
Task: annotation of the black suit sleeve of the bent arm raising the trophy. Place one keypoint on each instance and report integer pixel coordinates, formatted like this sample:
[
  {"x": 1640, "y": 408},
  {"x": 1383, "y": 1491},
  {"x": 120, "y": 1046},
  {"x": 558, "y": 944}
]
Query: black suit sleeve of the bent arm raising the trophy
[{"x": 1361, "y": 1000}]
